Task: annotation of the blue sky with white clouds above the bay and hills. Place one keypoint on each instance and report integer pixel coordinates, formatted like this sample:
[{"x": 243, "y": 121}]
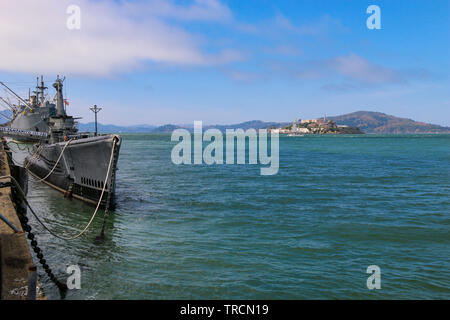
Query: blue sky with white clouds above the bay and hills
[{"x": 228, "y": 61}]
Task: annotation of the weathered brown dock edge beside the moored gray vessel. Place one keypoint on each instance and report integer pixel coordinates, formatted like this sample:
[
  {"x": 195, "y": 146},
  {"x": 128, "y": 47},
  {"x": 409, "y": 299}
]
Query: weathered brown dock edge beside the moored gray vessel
[{"x": 15, "y": 253}]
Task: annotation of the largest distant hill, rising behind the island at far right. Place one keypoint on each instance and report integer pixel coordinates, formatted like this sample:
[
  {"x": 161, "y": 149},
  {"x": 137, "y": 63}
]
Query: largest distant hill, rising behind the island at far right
[{"x": 377, "y": 122}]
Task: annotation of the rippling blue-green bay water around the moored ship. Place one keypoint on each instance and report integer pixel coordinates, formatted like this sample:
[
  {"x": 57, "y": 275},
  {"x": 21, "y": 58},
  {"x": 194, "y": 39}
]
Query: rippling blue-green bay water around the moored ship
[{"x": 337, "y": 205}]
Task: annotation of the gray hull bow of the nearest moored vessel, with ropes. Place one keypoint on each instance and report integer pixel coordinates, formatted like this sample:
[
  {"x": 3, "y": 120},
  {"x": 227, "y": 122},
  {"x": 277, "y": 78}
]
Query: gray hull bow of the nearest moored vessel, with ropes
[{"x": 81, "y": 171}]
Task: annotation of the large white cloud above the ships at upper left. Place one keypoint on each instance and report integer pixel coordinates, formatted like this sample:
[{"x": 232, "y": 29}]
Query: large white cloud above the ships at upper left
[{"x": 113, "y": 37}]
